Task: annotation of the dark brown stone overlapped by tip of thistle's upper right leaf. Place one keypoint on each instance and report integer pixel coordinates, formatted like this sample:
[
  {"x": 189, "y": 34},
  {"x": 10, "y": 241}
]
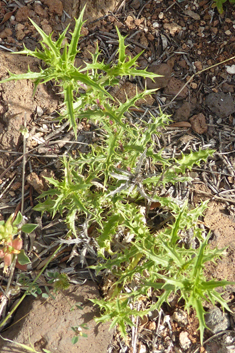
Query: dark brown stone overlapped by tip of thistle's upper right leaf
[{"x": 160, "y": 82}]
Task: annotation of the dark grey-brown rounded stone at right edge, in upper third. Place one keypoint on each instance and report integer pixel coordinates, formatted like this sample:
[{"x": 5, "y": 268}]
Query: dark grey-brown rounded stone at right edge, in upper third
[{"x": 221, "y": 104}]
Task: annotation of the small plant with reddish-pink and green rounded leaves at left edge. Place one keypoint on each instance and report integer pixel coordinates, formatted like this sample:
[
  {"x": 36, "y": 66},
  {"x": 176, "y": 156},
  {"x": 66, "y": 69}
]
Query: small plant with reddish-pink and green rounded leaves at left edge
[{"x": 11, "y": 242}]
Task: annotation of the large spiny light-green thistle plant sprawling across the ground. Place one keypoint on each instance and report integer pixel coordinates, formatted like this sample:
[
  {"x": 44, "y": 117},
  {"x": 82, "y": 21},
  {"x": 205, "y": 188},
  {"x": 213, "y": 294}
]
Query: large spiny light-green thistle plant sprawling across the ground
[{"x": 114, "y": 184}]
